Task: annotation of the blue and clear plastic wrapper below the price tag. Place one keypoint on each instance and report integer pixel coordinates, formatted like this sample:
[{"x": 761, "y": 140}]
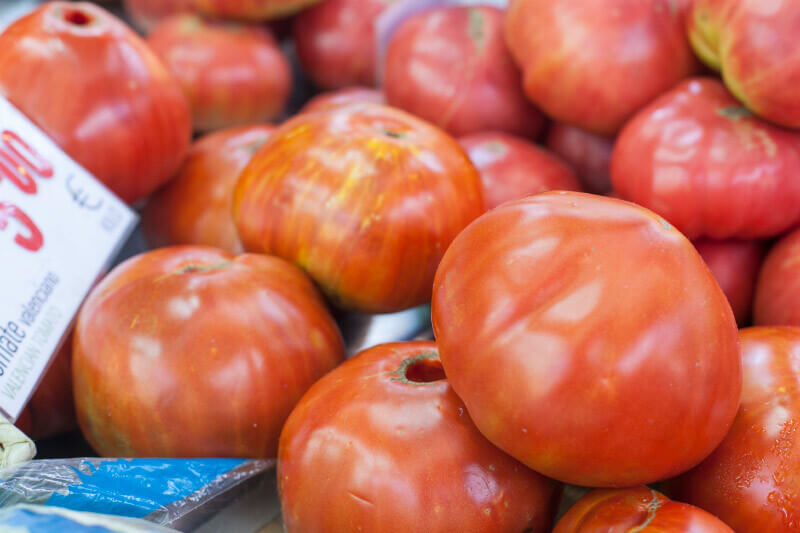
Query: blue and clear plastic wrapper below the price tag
[{"x": 177, "y": 493}]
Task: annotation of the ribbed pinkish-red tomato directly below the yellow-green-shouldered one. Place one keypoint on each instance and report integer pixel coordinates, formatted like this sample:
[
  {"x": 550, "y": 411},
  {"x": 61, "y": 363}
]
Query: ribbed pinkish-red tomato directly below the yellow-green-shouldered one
[{"x": 700, "y": 160}]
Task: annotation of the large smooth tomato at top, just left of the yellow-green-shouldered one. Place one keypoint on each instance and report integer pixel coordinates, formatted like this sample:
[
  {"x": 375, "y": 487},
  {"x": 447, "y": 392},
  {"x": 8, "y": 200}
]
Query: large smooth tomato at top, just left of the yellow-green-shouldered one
[{"x": 593, "y": 63}]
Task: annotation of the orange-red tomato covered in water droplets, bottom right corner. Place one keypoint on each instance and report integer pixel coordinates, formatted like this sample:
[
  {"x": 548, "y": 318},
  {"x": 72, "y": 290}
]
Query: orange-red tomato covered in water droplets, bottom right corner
[{"x": 750, "y": 481}]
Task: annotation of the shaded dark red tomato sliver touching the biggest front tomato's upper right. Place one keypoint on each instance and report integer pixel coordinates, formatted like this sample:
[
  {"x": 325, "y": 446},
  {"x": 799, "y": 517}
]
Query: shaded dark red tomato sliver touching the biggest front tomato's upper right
[{"x": 735, "y": 265}]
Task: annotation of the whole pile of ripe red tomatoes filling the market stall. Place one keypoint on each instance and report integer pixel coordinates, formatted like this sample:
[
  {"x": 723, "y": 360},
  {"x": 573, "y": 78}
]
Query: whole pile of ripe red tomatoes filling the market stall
[{"x": 593, "y": 195}]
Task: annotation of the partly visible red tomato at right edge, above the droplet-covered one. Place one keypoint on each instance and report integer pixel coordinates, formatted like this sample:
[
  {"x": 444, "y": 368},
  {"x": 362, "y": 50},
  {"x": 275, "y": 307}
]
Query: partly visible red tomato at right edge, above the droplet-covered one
[{"x": 777, "y": 300}]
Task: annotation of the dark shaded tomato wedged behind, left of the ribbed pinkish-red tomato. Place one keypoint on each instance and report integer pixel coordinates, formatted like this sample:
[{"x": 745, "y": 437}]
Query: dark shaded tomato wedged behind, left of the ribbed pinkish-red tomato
[{"x": 589, "y": 154}]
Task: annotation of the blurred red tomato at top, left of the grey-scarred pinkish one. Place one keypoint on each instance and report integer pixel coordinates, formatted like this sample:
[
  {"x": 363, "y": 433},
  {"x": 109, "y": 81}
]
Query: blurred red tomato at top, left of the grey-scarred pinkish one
[{"x": 335, "y": 41}]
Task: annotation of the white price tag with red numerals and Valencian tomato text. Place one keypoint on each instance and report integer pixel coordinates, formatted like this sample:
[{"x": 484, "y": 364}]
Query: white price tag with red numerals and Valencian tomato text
[{"x": 59, "y": 231}]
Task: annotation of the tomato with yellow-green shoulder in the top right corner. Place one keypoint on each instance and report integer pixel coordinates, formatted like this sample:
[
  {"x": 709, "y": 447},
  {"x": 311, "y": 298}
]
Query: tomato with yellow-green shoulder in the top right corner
[{"x": 754, "y": 44}]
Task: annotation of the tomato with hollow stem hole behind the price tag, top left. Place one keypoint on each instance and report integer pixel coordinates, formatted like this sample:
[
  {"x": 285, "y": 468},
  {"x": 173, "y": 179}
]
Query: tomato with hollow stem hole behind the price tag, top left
[{"x": 99, "y": 92}]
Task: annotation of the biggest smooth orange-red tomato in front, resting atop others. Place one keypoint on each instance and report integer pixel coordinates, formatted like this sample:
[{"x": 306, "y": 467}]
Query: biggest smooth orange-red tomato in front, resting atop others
[{"x": 587, "y": 339}]
